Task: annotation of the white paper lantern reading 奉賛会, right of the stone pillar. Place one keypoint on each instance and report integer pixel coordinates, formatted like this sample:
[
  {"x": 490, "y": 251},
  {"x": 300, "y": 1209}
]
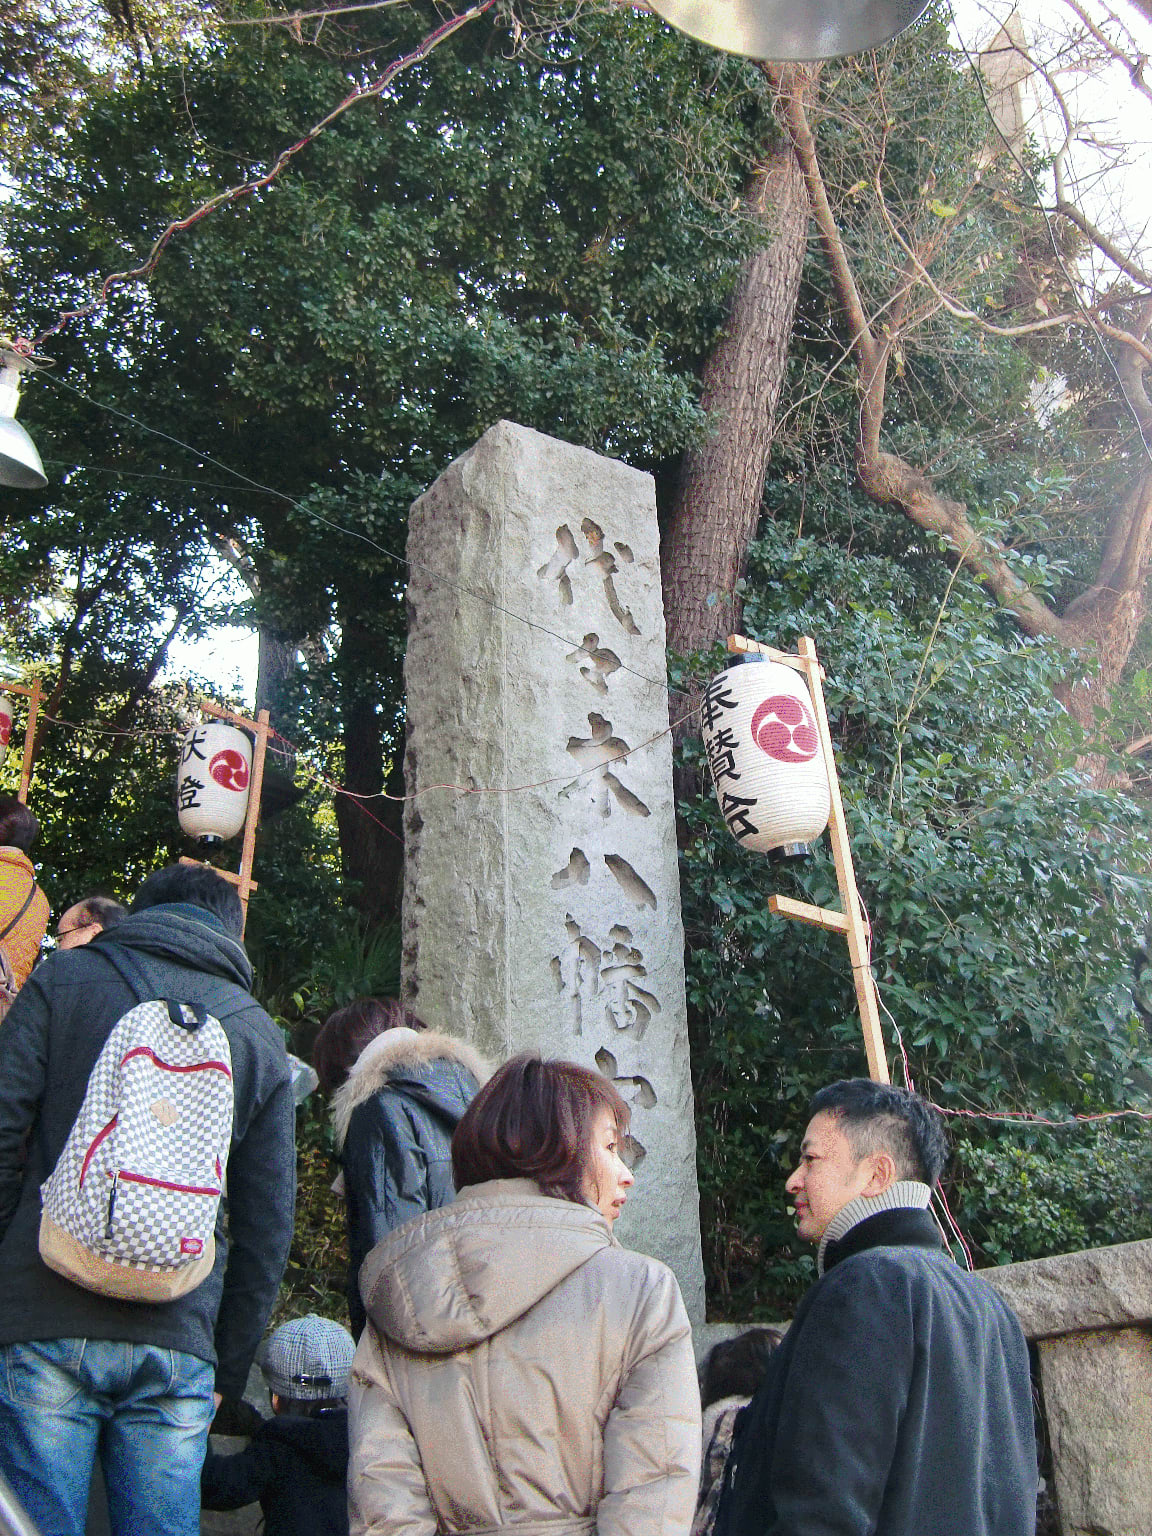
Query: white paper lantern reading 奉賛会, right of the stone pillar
[{"x": 764, "y": 752}]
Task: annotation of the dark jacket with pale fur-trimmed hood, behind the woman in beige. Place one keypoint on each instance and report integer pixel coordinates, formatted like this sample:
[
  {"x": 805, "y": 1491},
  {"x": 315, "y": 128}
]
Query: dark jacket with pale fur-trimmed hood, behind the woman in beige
[{"x": 394, "y": 1122}]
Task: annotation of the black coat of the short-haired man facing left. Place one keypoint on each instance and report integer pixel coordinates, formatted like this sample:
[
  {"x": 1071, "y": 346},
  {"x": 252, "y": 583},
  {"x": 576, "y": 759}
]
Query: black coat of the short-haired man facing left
[{"x": 899, "y": 1403}]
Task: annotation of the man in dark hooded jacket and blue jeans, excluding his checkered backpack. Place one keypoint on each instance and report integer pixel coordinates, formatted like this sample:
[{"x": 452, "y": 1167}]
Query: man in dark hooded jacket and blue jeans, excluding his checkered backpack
[{"x": 84, "y": 1372}]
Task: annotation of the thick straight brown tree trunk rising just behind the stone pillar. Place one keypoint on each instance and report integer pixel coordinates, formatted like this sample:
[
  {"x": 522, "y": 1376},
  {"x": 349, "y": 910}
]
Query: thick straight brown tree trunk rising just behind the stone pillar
[{"x": 718, "y": 500}]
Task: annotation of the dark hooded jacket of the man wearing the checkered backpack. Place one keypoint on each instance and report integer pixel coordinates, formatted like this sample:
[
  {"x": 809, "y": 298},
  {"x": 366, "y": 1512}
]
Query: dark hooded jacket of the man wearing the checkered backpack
[{"x": 50, "y": 1044}]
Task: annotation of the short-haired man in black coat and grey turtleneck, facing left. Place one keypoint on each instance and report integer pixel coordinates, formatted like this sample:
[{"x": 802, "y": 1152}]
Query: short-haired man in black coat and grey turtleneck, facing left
[{"x": 899, "y": 1403}]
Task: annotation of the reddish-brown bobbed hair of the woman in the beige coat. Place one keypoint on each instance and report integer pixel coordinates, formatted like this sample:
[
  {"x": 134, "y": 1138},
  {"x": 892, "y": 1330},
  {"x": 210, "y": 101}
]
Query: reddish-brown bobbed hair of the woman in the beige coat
[{"x": 534, "y": 1119}]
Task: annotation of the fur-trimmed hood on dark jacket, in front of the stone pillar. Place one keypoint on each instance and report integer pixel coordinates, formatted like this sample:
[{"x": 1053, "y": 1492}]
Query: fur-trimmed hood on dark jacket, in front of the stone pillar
[{"x": 420, "y": 1065}]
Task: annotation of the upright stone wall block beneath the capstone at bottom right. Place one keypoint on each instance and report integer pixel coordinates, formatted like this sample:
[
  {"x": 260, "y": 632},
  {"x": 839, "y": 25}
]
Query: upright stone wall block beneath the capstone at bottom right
[{"x": 1099, "y": 1408}]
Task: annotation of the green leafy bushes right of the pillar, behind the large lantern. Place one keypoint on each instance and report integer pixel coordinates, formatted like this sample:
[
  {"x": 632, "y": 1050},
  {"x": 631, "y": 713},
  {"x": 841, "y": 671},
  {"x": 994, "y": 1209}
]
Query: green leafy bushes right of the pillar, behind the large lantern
[{"x": 1005, "y": 898}]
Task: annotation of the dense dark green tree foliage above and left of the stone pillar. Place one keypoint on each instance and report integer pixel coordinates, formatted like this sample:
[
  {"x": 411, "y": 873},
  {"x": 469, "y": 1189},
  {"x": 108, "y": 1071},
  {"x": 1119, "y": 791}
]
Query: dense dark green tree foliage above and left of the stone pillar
[{"x": 532, "y": 225}]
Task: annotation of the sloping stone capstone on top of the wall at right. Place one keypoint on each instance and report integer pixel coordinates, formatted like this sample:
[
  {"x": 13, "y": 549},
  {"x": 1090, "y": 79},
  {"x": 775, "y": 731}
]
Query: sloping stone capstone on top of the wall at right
[{"x": 1096, "y": 1289}]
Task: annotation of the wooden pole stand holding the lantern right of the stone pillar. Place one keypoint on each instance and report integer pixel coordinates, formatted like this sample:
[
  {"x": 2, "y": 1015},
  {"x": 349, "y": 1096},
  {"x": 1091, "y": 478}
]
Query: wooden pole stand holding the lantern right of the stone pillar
[{"x": 850, "y": 922}]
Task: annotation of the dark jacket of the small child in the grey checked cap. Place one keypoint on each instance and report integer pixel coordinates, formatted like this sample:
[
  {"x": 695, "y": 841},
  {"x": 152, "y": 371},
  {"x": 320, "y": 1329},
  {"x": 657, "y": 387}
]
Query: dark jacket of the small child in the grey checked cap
[{"x": 296, "y": 1468}]
